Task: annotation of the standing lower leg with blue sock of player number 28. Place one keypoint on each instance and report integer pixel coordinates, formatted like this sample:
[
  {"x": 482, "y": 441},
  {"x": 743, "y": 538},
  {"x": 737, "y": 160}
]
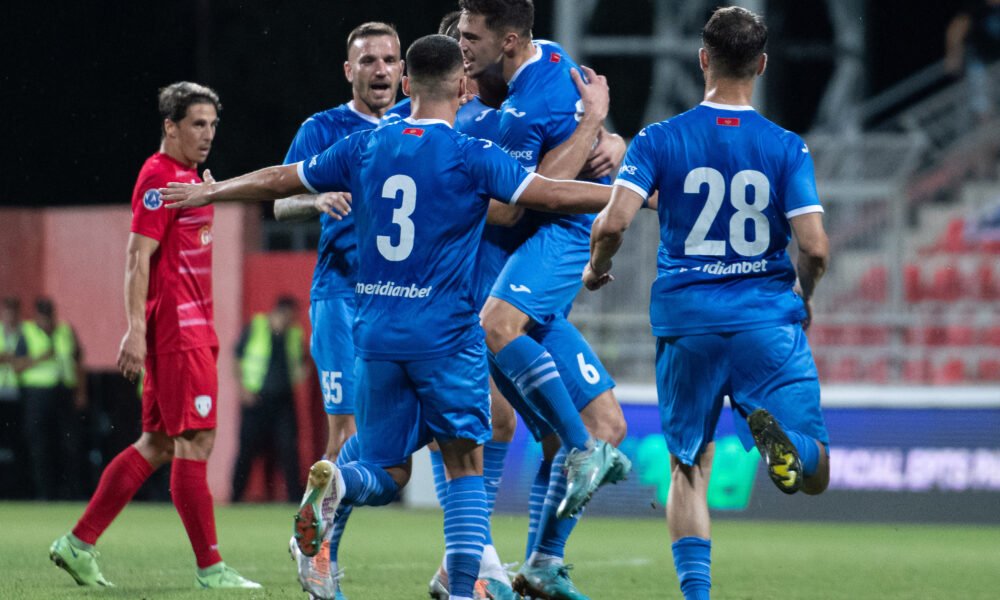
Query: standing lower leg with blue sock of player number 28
[{"x": 689, "y": 523}]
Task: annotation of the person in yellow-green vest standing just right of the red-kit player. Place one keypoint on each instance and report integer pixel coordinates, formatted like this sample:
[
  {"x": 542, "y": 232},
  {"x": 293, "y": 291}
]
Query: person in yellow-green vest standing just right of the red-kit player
[{"x": 270, "y": 362}]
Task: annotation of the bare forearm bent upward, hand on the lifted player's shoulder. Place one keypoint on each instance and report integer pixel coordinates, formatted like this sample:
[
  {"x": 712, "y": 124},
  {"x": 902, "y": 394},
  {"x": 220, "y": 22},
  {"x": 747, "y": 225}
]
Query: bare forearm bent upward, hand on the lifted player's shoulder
[{"x": 566, "y": 160}]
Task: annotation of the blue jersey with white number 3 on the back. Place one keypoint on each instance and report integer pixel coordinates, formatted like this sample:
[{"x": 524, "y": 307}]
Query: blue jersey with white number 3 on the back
[{"x": 421, "y": 191}]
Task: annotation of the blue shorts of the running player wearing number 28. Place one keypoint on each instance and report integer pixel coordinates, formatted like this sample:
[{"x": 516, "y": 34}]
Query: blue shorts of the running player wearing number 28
[{"x": 770, "y": 368}]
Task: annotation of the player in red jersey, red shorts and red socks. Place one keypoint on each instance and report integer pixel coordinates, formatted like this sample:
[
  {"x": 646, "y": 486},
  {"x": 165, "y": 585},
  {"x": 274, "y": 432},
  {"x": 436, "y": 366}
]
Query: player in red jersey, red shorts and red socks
[{"x": 168, "y": 304}]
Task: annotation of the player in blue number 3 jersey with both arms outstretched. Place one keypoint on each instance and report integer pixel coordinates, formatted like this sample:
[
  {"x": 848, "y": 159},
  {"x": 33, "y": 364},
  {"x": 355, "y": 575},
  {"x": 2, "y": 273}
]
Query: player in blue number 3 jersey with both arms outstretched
[{"x": 420, "y": 193}]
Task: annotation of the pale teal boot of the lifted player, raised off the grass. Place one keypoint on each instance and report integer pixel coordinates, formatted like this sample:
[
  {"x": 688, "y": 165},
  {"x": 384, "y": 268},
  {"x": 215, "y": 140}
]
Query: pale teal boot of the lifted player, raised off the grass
[{"x": 587, "y": 470}]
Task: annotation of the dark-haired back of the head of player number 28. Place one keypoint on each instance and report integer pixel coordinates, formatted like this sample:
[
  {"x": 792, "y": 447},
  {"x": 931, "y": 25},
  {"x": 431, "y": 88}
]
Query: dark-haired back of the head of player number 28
[{"x": 734, "y": 38}]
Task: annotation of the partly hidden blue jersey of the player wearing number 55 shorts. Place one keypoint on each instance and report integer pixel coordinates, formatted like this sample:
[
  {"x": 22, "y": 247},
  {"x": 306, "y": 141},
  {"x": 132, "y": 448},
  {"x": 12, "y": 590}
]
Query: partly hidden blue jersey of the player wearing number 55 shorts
[{"x": 336, "y": 259}]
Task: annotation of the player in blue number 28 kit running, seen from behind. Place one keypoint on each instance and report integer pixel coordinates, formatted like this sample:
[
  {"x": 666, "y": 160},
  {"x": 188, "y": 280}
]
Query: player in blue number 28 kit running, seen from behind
[{"x": 726, "y": 309}]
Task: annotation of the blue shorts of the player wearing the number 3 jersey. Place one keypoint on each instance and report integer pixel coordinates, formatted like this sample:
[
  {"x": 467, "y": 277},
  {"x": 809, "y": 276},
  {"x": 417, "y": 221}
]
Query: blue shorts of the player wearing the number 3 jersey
[{"x": 403, "y": 405}]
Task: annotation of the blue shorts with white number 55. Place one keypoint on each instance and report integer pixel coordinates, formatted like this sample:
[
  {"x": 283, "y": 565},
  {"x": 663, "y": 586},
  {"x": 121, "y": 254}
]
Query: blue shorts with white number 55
[{"x": 332, "y": 348}]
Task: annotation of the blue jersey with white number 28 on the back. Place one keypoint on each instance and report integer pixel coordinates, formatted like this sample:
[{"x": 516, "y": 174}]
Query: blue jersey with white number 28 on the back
[{"x": 729, "y": 180}]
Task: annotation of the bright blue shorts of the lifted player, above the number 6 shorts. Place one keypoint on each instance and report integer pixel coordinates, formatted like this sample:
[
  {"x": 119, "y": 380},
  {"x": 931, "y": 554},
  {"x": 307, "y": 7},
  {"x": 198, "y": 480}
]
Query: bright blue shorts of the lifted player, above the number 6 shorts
[{"x": 544, "y": 274}]
